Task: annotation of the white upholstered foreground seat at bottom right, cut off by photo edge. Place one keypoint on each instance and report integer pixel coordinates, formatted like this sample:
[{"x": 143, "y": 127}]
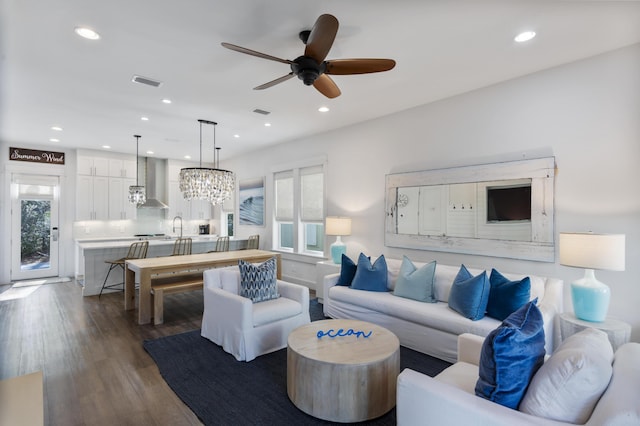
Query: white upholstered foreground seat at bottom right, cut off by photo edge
[{"x": 449, "y": 398}]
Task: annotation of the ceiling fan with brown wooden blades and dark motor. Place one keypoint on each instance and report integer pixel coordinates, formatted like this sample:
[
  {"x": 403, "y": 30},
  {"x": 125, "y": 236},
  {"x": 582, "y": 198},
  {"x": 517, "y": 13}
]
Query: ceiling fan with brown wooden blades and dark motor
[{"x": 311, "y": 67}]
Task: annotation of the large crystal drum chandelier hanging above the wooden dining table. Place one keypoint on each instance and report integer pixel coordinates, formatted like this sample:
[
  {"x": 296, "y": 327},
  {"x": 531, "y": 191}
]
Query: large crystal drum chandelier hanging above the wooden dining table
[{"x": 212, "y": 184}]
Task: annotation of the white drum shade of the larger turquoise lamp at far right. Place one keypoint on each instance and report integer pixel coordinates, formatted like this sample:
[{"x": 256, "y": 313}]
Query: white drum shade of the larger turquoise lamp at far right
[{"x": 593, "y": 251}]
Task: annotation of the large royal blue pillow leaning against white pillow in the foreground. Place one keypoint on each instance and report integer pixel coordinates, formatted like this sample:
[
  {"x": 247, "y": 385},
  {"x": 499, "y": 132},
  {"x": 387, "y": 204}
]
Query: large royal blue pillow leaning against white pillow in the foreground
[{"x": 511, "y": 355}]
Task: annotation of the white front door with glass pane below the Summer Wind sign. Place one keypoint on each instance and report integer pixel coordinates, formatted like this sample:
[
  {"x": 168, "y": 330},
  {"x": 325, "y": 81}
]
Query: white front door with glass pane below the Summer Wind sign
[{"x": 34, "y": 227}]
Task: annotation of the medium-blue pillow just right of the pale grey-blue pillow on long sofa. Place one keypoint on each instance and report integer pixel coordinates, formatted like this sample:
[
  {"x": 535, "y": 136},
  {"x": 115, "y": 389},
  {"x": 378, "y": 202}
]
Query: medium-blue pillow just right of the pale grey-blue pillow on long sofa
[{"x": 469, "y": 294}]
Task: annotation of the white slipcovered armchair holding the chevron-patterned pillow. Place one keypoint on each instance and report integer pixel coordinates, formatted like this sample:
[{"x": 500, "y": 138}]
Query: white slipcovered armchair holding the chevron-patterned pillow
[{"x": 246, "y": 329}]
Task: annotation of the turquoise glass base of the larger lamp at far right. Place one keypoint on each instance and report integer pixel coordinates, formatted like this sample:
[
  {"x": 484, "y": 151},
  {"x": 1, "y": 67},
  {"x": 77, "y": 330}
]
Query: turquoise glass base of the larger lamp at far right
[{"x": 590, "y": 298}]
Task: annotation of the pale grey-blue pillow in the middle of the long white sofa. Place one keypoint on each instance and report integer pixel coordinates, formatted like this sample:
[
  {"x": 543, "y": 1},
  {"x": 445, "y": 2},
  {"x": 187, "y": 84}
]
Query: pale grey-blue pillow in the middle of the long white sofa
[{"x": 414, "y": 283}]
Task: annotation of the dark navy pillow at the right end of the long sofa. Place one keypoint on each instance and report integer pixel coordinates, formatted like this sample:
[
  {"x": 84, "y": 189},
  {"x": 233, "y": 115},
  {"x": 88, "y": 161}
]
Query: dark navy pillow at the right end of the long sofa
[{"x": 506, "y": 297}]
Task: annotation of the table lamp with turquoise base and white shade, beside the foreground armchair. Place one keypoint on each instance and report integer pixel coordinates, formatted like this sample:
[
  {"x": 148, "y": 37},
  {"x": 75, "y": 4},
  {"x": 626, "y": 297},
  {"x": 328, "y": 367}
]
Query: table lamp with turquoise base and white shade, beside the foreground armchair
[{"x": 591, "y": 251}]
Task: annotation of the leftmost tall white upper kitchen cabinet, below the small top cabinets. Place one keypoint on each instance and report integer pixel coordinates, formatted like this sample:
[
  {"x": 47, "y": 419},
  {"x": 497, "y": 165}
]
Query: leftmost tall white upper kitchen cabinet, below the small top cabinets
[{"x": 92, "y": 197}]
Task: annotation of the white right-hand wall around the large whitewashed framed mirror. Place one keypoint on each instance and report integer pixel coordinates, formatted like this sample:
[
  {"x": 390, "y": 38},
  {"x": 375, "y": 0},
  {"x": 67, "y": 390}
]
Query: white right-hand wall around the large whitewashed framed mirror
[{"x": 586, "y": 114}]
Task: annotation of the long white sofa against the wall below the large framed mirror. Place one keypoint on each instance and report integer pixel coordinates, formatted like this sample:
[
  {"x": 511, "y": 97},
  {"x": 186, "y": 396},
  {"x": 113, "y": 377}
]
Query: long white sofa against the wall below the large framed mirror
[{"x": 433, "y": 328}]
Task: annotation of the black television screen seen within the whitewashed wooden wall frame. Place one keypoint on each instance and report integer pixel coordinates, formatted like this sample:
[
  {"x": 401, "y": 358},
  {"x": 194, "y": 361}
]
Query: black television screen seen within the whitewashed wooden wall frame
[{"x": 509, "y": 203}]
